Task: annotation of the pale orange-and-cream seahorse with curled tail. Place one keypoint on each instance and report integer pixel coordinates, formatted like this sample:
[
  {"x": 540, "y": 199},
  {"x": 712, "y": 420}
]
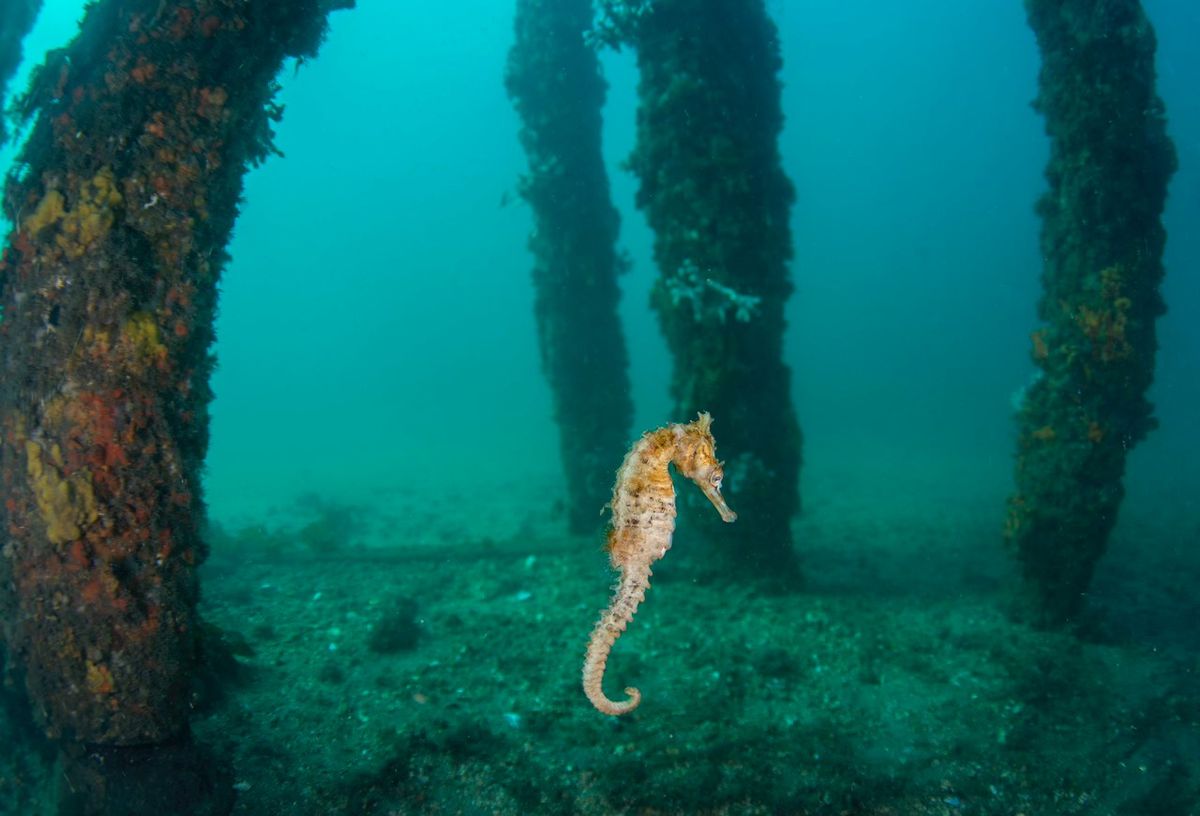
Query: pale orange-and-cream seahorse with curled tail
[{"x": 644, "y": 515}]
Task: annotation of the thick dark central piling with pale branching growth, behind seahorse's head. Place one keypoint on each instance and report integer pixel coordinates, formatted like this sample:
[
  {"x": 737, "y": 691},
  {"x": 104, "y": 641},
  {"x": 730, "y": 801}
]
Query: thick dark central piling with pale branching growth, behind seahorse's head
[{"x": 715, "y": 193}]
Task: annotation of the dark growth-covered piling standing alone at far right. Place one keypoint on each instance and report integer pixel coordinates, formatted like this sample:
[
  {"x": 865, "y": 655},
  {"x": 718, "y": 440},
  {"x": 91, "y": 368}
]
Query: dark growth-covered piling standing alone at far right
[{"x": 1102, "y": 247}]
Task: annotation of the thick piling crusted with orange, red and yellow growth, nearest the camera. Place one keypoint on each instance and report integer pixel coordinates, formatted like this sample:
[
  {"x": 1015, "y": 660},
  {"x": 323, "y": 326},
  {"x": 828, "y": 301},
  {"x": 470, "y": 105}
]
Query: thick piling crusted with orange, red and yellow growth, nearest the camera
[{"x": 143, "y": 129}]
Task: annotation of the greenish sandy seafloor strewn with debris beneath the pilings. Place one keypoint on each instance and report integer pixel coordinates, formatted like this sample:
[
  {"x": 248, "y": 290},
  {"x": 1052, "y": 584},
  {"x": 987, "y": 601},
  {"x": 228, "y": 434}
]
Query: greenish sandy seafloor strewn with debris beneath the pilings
[{"x": 892, "y": 683}]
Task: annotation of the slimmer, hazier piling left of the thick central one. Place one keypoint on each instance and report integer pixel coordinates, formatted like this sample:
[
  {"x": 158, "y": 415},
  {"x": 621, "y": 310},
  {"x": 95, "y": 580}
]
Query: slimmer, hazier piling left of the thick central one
[{"x": 554, "y": 79}]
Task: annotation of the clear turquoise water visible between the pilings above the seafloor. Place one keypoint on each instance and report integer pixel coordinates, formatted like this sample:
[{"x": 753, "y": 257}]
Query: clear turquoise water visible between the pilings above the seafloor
[{"x": 375, "y": 268}]
